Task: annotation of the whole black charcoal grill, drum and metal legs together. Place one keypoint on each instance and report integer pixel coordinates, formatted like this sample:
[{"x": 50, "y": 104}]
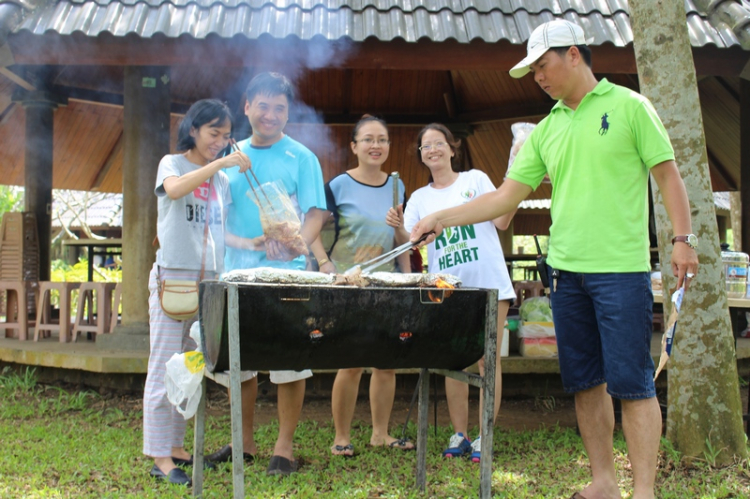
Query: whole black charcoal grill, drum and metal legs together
[{"x": 253, "y": 326}]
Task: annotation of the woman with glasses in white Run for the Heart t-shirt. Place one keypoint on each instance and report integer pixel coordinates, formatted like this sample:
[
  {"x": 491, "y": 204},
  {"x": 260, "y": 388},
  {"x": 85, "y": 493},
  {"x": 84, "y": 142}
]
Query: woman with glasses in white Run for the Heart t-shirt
[{"x": 472, "y": 253}]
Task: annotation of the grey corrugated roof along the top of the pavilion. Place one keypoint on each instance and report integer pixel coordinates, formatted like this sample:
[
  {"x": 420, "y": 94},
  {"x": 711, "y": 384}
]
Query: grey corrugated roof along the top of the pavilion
[{"x": 605, "y": 21}]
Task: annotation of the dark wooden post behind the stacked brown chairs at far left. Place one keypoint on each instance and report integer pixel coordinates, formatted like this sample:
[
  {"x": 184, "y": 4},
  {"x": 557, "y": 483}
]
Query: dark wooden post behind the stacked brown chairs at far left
[{"x": 40, "y": 107}]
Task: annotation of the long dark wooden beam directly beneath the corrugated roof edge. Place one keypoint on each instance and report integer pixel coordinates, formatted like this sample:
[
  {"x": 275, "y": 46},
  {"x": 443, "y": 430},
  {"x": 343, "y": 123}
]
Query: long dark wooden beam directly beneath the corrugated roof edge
[{"x": 106, "y": 49}]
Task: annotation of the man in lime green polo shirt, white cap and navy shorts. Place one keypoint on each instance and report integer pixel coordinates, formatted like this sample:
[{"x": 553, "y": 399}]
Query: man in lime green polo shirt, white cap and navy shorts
[{"x": 598, "y": 145}]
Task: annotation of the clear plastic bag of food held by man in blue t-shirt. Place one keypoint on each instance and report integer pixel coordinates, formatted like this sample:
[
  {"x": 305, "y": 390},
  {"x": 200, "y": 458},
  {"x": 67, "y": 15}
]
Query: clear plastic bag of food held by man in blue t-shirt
[{"x": 278, "y": 217}]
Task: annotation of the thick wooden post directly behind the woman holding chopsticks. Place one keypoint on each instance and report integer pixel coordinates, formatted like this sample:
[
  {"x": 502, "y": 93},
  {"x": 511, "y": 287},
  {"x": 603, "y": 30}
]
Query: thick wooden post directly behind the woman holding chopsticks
[{"x": 146, "y": 124}]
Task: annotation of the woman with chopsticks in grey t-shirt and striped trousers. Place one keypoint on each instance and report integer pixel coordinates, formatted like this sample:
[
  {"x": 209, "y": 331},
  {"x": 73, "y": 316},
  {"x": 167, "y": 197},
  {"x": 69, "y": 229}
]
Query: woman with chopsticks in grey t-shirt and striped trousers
[{"x": 184, "y": 185}]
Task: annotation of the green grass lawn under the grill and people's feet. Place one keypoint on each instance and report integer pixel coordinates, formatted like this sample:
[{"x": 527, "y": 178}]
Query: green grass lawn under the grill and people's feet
[{"x": 60, "y": 444}]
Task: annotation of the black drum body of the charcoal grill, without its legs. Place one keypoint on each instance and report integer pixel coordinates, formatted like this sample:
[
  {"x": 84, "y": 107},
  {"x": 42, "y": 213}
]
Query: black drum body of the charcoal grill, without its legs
[{"x": 332, "y": 327}]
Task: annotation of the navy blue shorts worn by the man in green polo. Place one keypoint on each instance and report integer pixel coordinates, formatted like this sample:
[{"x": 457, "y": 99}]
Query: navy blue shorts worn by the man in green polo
[{"x": 603, "y": 324}]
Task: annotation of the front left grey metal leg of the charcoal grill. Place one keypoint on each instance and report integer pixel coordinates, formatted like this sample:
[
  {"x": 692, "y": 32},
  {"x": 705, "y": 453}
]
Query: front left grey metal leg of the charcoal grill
[{"x": 235, "y": 396}]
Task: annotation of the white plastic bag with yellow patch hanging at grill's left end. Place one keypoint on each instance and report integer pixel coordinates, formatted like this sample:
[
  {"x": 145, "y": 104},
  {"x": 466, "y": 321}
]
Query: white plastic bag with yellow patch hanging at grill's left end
[{"x": 183, "y": 378}]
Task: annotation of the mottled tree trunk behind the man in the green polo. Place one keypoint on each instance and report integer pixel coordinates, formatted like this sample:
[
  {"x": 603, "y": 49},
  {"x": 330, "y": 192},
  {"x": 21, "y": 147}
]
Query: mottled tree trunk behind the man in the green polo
[{"x": 704, "y": 408}]
